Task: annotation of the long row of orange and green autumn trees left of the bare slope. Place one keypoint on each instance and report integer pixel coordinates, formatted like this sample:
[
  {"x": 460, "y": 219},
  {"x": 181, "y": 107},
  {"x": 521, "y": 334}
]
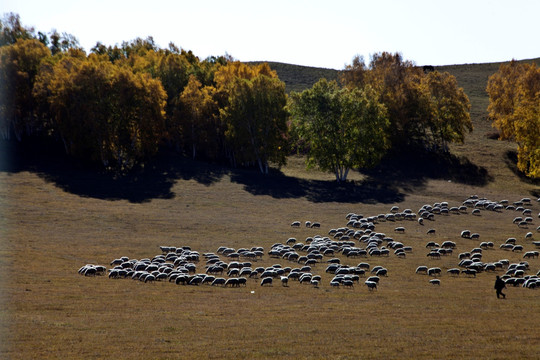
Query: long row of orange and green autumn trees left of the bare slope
[{"x": 119, "y": 105}]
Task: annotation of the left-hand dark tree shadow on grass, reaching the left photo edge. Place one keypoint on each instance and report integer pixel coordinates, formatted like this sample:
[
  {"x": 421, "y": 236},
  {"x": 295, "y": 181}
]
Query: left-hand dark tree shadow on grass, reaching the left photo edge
[{"x": 141, "y": 185}]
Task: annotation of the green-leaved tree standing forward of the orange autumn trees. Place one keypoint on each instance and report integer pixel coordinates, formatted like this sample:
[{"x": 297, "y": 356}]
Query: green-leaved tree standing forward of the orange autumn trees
[{"x": 344, "y": 128}]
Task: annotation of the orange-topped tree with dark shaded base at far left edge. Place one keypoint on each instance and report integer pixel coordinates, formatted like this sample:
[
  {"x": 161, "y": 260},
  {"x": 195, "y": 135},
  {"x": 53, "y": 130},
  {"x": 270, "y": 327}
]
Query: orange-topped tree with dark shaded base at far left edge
[{"x": 19, "y": 66}]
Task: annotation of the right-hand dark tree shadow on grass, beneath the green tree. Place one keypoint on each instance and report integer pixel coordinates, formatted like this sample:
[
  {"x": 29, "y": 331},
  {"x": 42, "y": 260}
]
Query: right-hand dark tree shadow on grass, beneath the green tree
[{"x": 397, "y": 174}]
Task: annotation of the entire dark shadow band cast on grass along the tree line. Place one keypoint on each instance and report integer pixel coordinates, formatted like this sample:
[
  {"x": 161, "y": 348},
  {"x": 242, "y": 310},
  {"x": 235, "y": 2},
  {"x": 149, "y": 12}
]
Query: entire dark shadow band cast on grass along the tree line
[{"x": 396, "y": 175}]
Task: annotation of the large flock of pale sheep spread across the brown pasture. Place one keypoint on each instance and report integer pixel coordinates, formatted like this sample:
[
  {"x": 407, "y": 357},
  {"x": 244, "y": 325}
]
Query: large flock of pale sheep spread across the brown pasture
[{"x": 355, "y": 242}]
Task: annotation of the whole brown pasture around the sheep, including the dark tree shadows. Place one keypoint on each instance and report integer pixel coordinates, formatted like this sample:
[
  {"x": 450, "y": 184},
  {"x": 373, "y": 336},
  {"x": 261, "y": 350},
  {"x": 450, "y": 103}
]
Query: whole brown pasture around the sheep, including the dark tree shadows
[{"x": 57, "y": 216}]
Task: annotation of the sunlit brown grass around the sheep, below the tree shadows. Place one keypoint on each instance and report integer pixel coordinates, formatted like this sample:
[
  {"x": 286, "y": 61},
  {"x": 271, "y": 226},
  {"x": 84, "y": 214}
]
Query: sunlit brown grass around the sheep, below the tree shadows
[{"x": 51, "y": 311}]
